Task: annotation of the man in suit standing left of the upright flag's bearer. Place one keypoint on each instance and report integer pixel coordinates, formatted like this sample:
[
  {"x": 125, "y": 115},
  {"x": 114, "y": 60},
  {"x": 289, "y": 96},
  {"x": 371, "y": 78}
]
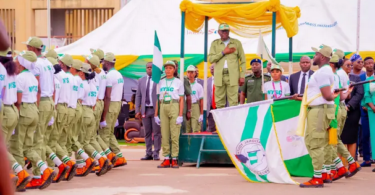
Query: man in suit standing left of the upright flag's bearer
[{"x": 144, "y": 107}]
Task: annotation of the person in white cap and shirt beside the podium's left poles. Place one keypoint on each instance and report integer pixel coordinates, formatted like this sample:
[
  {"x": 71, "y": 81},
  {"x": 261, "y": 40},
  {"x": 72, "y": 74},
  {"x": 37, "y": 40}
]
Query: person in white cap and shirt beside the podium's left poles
[{"x": 197, "y": 102}]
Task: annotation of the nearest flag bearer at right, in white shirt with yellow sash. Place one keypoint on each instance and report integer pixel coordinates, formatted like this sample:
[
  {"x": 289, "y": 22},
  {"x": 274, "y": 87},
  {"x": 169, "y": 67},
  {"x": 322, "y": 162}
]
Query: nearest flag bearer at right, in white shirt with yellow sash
[{"x": 320, "y": 112}]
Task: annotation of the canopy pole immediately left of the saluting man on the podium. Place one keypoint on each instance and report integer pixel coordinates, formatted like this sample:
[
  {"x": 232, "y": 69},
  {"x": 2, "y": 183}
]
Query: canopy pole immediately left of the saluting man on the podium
[{"x": 205, "y": 114}]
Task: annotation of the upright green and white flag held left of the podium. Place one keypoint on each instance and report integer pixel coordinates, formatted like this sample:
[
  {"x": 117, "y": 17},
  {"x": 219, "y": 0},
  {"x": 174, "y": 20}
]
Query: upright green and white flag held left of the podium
[{"x": 157, "y": 61}]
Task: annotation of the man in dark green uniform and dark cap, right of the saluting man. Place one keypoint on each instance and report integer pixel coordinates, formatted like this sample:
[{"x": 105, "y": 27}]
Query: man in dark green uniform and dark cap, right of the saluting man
[{"x": 252, "y": 88}]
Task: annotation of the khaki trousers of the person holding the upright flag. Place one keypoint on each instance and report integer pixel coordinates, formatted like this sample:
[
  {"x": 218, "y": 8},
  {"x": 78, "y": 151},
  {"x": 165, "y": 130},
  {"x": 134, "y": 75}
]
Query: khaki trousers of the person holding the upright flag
[{"x": 170, "y": 131}]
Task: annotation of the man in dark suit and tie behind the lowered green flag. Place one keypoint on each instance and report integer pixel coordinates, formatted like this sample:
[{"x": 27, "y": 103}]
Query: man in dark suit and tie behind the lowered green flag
[{"x": 299, "y": 80}]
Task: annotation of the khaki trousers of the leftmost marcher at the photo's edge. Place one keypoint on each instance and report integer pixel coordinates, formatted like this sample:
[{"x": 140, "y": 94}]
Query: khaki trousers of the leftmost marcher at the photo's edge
[{"x": 10, "y": 120}]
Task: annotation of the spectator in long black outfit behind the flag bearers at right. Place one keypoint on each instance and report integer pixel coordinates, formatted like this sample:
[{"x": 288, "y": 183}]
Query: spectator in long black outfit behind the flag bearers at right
[{"x": 349, "y": 134}]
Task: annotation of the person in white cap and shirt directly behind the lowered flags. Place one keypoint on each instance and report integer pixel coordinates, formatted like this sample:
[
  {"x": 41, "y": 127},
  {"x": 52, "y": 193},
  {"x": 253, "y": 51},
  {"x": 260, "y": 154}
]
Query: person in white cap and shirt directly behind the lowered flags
[{"x": 276, "y": 88}]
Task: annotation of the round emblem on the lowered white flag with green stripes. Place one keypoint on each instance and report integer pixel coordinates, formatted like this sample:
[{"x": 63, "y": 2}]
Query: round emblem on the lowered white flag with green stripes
[{"x": 251, "y": 153}]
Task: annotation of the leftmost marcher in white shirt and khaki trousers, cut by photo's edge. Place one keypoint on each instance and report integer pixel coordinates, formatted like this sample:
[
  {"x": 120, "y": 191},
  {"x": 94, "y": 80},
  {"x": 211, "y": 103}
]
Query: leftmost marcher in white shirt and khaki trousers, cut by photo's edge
[{"x": 10, "y": 115}]
